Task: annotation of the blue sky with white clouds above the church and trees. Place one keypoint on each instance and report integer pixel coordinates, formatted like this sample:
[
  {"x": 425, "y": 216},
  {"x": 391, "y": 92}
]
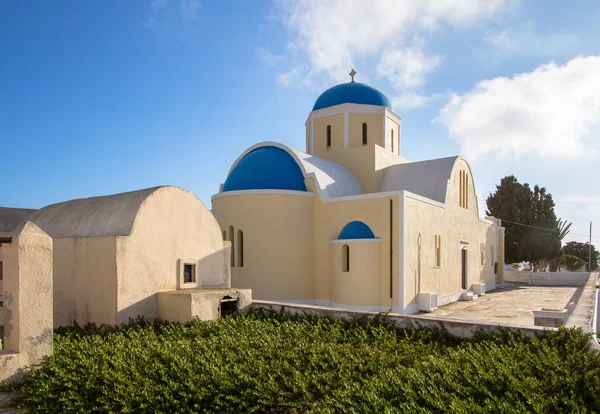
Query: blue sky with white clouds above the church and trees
[{"x": 101, "y": 97}]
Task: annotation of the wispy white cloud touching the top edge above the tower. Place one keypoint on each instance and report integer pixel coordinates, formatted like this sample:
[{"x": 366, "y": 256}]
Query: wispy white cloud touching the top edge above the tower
[{"x": 333, "y": 34}]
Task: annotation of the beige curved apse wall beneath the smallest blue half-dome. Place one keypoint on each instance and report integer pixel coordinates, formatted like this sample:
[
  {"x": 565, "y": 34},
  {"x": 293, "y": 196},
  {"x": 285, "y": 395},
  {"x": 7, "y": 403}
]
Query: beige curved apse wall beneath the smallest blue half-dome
[{"x": 361, "y": 285}]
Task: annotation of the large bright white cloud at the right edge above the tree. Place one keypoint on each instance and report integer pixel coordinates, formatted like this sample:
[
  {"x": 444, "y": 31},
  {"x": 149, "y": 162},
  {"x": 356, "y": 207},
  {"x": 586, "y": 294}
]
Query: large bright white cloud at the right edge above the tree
[{"x": 551, "y": 112}]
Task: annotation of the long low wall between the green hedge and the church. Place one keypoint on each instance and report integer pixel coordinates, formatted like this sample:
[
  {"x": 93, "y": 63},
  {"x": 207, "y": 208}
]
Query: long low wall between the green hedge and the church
[{"x": 462, "y": 329}]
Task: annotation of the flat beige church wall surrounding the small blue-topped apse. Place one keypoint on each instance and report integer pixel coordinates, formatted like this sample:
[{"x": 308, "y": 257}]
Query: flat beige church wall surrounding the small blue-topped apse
[{"x": 330, "y": 219}]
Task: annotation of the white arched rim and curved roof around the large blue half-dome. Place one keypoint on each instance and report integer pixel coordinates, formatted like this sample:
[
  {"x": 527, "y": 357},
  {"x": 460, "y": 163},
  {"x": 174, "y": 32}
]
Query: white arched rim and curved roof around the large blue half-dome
[{"x": 333, "y": 179}]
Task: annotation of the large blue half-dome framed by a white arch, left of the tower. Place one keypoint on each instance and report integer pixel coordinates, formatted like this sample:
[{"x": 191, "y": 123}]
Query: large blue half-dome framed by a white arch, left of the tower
[{"x": 266, "y": 168}]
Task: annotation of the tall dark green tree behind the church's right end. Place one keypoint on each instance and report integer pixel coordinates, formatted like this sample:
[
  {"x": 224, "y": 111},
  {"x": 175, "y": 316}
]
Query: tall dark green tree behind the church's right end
[{"x": 532, "y": 229}]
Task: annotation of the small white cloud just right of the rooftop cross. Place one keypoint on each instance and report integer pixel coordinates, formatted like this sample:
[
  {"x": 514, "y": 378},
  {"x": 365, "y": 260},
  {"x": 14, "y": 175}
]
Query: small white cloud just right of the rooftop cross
[{"x": 406, "y": 67}]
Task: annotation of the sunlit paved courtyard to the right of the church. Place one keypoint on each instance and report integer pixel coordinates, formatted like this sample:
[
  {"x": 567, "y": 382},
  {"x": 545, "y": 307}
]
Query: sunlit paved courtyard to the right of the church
[{"x": 512, "y": 304}]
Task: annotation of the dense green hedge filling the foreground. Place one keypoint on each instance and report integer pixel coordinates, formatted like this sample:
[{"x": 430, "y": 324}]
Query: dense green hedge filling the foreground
[{"x": 274, "y": 362}]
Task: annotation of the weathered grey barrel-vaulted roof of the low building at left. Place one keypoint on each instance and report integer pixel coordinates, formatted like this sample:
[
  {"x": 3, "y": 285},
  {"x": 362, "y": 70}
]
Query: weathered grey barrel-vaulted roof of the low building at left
[{"x": 111, "y": 215}]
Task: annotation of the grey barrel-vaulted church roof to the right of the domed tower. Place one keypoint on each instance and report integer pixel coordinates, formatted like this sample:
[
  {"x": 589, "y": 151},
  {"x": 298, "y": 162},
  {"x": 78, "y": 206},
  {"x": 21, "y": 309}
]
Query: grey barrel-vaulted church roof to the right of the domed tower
[{"x": 425, "y": 178}]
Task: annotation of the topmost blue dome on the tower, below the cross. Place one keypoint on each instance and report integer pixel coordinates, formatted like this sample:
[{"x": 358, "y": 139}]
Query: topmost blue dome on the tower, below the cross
[{"x": 351, "y": 92}]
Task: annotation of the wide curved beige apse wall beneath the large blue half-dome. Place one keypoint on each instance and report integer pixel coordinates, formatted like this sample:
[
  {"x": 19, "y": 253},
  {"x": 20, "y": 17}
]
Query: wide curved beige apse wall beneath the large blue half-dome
[{"x": 278, "y": 242}]
